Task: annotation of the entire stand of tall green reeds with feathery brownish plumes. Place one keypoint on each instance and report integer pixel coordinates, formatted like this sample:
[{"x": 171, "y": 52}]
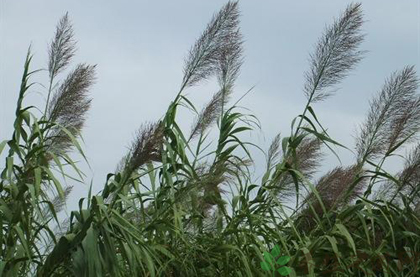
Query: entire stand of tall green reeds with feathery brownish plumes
[{"x": 181, "y": 205}]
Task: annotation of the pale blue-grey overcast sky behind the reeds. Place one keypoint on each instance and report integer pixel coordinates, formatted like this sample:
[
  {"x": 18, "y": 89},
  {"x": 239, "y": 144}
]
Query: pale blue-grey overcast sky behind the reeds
[{"x": 139, "y": 48}]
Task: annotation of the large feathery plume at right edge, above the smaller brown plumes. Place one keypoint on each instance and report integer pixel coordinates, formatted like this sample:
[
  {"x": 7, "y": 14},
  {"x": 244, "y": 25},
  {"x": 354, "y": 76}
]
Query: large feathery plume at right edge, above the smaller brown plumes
[{"x": 393, "y": 118}]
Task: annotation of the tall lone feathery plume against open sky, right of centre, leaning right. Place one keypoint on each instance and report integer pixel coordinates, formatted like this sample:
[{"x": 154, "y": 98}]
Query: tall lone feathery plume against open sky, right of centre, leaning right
[{"x": 336, "y": 53}]
